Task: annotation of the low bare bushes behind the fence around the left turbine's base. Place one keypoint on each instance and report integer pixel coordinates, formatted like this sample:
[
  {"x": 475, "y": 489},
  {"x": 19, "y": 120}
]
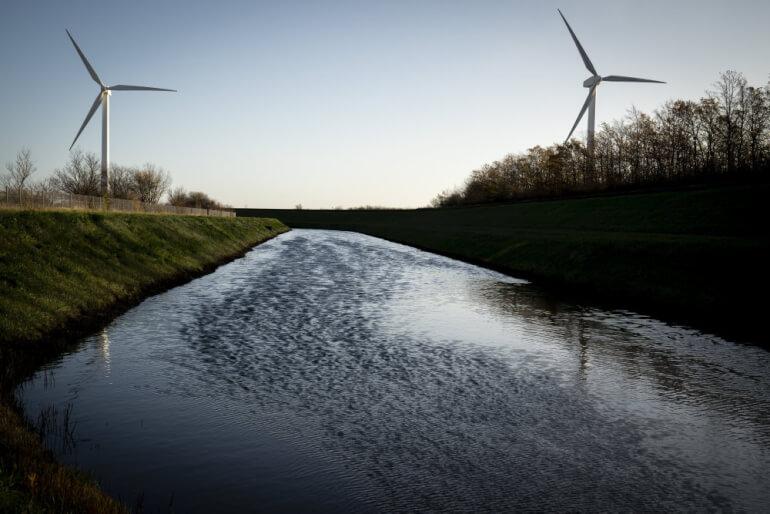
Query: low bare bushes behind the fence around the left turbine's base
[{"x": 81, "y": 175}]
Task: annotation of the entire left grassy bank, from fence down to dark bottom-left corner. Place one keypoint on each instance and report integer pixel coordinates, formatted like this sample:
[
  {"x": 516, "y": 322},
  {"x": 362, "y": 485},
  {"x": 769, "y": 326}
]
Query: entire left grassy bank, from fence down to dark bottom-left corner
[{"x": 61, "y": 275}]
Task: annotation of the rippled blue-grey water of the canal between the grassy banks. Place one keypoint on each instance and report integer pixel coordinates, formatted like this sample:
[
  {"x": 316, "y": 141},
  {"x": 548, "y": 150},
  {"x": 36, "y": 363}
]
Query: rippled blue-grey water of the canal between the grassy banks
[{"x": 335, "y": 371}]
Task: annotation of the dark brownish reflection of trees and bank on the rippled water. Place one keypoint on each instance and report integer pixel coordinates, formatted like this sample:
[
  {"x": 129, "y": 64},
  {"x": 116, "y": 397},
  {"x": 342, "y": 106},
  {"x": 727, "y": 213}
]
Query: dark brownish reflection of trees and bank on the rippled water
[{"x": 677, "y": 361}]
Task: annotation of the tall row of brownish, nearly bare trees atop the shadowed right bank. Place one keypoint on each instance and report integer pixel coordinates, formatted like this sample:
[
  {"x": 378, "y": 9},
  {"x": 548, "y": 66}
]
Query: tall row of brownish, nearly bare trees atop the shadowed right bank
[{"x": 725, "y": 133}]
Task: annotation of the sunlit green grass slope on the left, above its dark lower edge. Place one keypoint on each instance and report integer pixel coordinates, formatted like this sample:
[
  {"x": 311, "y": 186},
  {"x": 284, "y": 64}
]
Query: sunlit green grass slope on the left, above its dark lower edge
[{"x": 58, "y": 268}]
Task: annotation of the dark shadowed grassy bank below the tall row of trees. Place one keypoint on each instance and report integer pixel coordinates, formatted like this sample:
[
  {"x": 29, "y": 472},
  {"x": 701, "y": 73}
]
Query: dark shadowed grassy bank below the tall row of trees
[{"x": 696, "y": 255}]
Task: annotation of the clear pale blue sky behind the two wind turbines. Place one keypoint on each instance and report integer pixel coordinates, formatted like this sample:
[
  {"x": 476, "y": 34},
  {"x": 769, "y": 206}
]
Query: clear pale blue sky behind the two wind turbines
[{"x": 340, "y": 104}]
